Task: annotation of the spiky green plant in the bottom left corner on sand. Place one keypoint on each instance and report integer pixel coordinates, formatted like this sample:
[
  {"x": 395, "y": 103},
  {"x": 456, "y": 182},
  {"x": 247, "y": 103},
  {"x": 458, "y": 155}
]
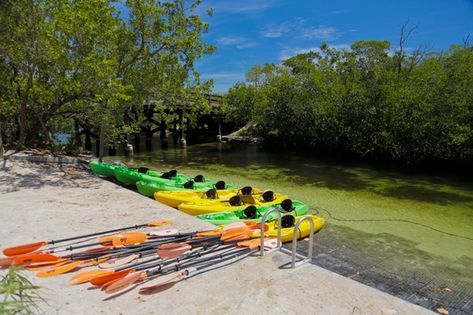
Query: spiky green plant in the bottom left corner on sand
[{"x": 19, "y": 295}]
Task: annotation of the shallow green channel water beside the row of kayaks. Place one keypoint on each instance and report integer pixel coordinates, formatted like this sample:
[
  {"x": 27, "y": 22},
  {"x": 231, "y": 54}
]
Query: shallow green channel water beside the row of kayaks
[{"x": 433, "y": 212}]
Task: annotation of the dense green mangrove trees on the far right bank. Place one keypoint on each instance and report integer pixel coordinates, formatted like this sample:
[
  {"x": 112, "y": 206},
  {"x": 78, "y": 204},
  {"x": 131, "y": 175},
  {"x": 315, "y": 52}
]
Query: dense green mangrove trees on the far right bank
[{"x": 365, "y": 100}]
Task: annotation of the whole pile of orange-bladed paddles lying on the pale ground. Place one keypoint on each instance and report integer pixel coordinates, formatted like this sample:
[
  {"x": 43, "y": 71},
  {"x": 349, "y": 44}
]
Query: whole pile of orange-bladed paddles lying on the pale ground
[{"x": 154, "y": 258}]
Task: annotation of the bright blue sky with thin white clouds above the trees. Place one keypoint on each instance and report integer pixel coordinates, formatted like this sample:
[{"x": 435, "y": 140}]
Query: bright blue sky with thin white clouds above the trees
[{"x": 250, "y": 32}]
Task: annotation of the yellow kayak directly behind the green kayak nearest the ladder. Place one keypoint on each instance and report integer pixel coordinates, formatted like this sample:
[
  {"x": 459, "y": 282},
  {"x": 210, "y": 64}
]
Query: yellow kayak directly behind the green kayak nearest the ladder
[{"x": 236, "y": 202}]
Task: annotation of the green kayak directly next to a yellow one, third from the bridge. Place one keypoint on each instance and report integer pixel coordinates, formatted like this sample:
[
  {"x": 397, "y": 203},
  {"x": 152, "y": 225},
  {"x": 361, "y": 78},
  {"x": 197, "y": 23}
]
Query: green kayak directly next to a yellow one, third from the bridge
[{"x": 148, "y": 185}]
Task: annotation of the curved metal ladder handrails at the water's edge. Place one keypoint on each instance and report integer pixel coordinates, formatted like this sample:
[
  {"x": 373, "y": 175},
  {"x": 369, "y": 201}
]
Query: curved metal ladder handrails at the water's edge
[{"x": 302, "y": 259}]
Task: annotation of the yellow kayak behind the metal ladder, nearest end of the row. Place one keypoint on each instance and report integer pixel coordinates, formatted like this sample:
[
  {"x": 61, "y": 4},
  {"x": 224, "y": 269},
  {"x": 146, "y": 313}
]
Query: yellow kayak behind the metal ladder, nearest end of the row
[{"x": 288, "y": 227}]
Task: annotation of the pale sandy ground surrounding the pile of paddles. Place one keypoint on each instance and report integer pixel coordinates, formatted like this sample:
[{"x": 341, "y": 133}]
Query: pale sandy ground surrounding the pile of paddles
[{"x": 43, "y": 201}]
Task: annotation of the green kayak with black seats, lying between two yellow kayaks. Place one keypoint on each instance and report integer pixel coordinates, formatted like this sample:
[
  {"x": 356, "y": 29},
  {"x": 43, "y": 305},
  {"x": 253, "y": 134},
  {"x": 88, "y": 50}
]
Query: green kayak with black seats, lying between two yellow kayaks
[{"x": 255, "y": 214}]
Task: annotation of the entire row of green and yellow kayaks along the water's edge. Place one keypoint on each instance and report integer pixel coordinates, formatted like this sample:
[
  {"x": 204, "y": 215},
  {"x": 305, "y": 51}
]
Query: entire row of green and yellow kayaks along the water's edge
[{"x": 213, "y": 201}]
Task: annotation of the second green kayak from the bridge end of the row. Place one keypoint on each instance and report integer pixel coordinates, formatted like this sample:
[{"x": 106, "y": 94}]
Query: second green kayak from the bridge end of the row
[{"x": 129, "y": 176}]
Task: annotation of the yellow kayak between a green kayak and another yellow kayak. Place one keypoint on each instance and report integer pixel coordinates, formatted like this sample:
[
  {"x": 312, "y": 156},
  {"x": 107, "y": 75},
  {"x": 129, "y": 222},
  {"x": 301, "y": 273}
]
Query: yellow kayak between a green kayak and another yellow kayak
[{"x": 175, "y": 198}]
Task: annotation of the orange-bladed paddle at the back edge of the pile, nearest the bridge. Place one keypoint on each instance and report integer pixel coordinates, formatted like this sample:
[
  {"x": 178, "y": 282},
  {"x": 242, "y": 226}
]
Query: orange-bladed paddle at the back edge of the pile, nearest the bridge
[{"x": 28, "y": 248}]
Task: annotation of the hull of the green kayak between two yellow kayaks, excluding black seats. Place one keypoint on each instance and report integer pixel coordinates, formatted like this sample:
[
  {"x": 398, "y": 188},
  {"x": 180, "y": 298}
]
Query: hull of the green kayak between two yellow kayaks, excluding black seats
[{"x": 228, "y": 217}]
